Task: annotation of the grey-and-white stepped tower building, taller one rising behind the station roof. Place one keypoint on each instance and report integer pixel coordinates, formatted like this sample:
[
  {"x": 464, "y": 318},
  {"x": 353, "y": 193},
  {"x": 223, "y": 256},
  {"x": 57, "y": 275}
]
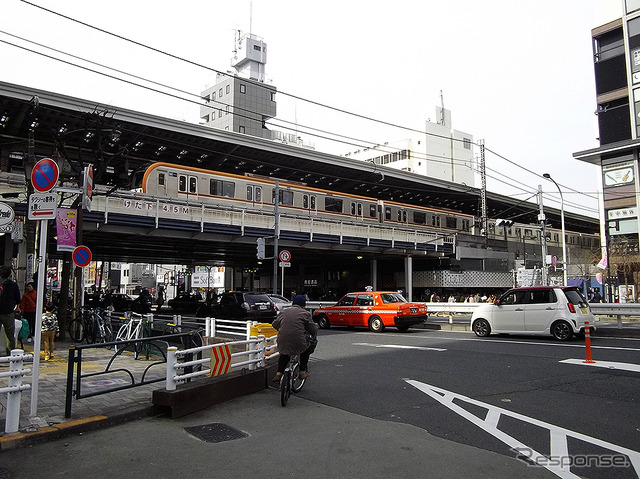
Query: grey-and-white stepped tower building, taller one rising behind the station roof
[{"x": 242, "y": 101}]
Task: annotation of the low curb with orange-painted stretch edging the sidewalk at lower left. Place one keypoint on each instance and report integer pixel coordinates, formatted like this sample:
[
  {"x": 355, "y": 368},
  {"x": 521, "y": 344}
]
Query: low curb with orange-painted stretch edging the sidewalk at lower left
[{"x": 77, "y": 426}]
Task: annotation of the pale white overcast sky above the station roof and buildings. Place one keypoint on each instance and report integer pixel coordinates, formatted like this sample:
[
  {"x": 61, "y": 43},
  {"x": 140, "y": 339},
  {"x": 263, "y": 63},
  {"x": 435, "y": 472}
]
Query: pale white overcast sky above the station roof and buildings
[{"x": 516, "y": 74}]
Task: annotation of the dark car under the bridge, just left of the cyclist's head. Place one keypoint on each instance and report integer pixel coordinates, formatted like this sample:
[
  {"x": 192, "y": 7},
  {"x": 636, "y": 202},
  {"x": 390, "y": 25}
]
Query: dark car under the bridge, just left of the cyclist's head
[{"x": 241, "y": 306}]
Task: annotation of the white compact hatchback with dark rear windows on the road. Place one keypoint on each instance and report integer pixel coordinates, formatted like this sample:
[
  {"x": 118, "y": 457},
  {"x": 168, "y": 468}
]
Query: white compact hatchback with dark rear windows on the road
[{"x": 560, "y": 311}]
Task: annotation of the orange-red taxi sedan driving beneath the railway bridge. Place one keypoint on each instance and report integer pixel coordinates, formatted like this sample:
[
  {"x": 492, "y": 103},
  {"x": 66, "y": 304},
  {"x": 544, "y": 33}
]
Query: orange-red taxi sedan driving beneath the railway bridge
[{"x": 373, "y": 309}]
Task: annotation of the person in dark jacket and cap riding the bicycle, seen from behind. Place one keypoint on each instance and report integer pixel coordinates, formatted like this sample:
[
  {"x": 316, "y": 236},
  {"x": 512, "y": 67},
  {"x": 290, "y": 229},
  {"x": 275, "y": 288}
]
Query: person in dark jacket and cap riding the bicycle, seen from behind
[{"x": 296, "y": 336}]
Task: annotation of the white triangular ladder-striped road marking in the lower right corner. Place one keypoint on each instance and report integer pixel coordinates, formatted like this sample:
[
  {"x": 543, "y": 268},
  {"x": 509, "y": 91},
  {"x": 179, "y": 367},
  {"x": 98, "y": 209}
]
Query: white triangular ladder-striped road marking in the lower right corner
[{"x": 558, "y": 435}]
